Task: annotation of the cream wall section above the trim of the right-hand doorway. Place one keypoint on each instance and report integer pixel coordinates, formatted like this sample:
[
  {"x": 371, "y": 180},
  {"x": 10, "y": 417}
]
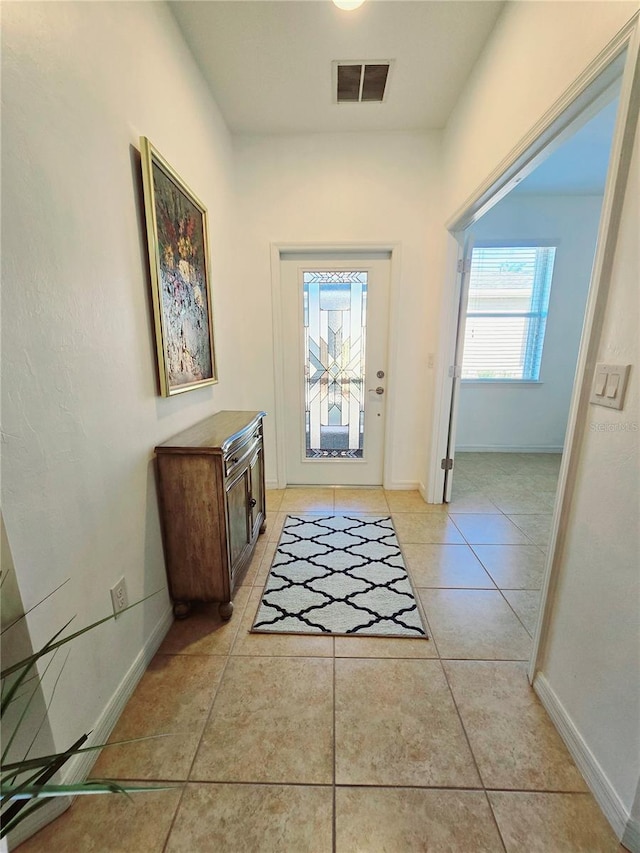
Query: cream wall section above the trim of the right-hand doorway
[{"x": 534, "y": 54}]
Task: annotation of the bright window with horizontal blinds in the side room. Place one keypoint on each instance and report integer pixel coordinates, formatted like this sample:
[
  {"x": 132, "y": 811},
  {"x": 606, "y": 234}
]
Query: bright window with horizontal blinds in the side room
[{"x": 509, "y": 289}]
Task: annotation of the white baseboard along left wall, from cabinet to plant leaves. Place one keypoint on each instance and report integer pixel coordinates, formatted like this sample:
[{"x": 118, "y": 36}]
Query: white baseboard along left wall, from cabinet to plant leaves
[{"x": 78, "y": 768}]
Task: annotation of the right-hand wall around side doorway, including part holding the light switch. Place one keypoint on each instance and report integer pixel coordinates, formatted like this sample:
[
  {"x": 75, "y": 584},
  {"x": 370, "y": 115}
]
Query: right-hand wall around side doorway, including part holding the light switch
[{"x": 592, "y": 662}]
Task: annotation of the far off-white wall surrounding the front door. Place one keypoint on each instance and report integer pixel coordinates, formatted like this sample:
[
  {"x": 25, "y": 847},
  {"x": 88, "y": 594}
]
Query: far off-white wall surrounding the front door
[{"x": 336, "y": 189}]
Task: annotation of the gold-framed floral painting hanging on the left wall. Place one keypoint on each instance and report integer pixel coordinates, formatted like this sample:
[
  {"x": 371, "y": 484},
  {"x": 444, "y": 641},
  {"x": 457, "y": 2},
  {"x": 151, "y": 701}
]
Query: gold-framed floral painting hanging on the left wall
[{"x": 177, "y": 234}]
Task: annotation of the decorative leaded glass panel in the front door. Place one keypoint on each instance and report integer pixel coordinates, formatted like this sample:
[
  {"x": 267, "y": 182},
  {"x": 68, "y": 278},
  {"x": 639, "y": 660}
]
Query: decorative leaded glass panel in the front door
[{"x": 335, "y": 320}]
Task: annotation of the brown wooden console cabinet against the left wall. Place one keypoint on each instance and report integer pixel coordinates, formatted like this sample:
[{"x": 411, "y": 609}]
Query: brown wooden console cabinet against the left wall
[{"x": 212, "y": 506}]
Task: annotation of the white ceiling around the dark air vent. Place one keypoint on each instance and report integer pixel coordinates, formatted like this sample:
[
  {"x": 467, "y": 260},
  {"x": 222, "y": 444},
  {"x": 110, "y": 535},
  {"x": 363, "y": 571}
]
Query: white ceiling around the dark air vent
[{"x": 268, "y": 62}]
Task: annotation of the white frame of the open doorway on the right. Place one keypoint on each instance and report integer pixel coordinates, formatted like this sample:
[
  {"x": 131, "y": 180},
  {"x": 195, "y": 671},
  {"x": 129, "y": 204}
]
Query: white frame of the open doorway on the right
[{"x": 579, "y": 102}]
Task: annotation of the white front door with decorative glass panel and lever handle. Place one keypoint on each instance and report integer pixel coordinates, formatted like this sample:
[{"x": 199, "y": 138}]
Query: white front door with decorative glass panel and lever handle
[{"x": 335, "y": 315}]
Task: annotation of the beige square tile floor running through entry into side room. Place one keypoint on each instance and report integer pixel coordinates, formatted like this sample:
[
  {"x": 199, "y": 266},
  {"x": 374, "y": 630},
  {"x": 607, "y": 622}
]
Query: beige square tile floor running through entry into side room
[{"x": 291, "y": 744}]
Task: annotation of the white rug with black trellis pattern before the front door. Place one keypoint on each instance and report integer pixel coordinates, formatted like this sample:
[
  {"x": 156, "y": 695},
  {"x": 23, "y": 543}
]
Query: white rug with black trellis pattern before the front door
[{"x": 339, "y": 574}]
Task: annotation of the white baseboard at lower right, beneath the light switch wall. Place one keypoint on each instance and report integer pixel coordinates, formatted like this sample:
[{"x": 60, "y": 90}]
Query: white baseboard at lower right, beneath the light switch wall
[{"x": 595, "y": 777}]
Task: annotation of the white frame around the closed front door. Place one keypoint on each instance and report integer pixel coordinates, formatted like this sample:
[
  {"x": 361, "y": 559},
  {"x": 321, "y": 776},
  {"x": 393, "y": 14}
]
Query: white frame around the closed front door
[{"x": 318, "y": 249}]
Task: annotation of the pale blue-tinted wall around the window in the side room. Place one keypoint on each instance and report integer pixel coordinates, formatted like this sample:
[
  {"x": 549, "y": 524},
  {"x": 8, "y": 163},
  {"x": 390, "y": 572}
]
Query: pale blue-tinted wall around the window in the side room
[{"x": 520, "y": 417}]
